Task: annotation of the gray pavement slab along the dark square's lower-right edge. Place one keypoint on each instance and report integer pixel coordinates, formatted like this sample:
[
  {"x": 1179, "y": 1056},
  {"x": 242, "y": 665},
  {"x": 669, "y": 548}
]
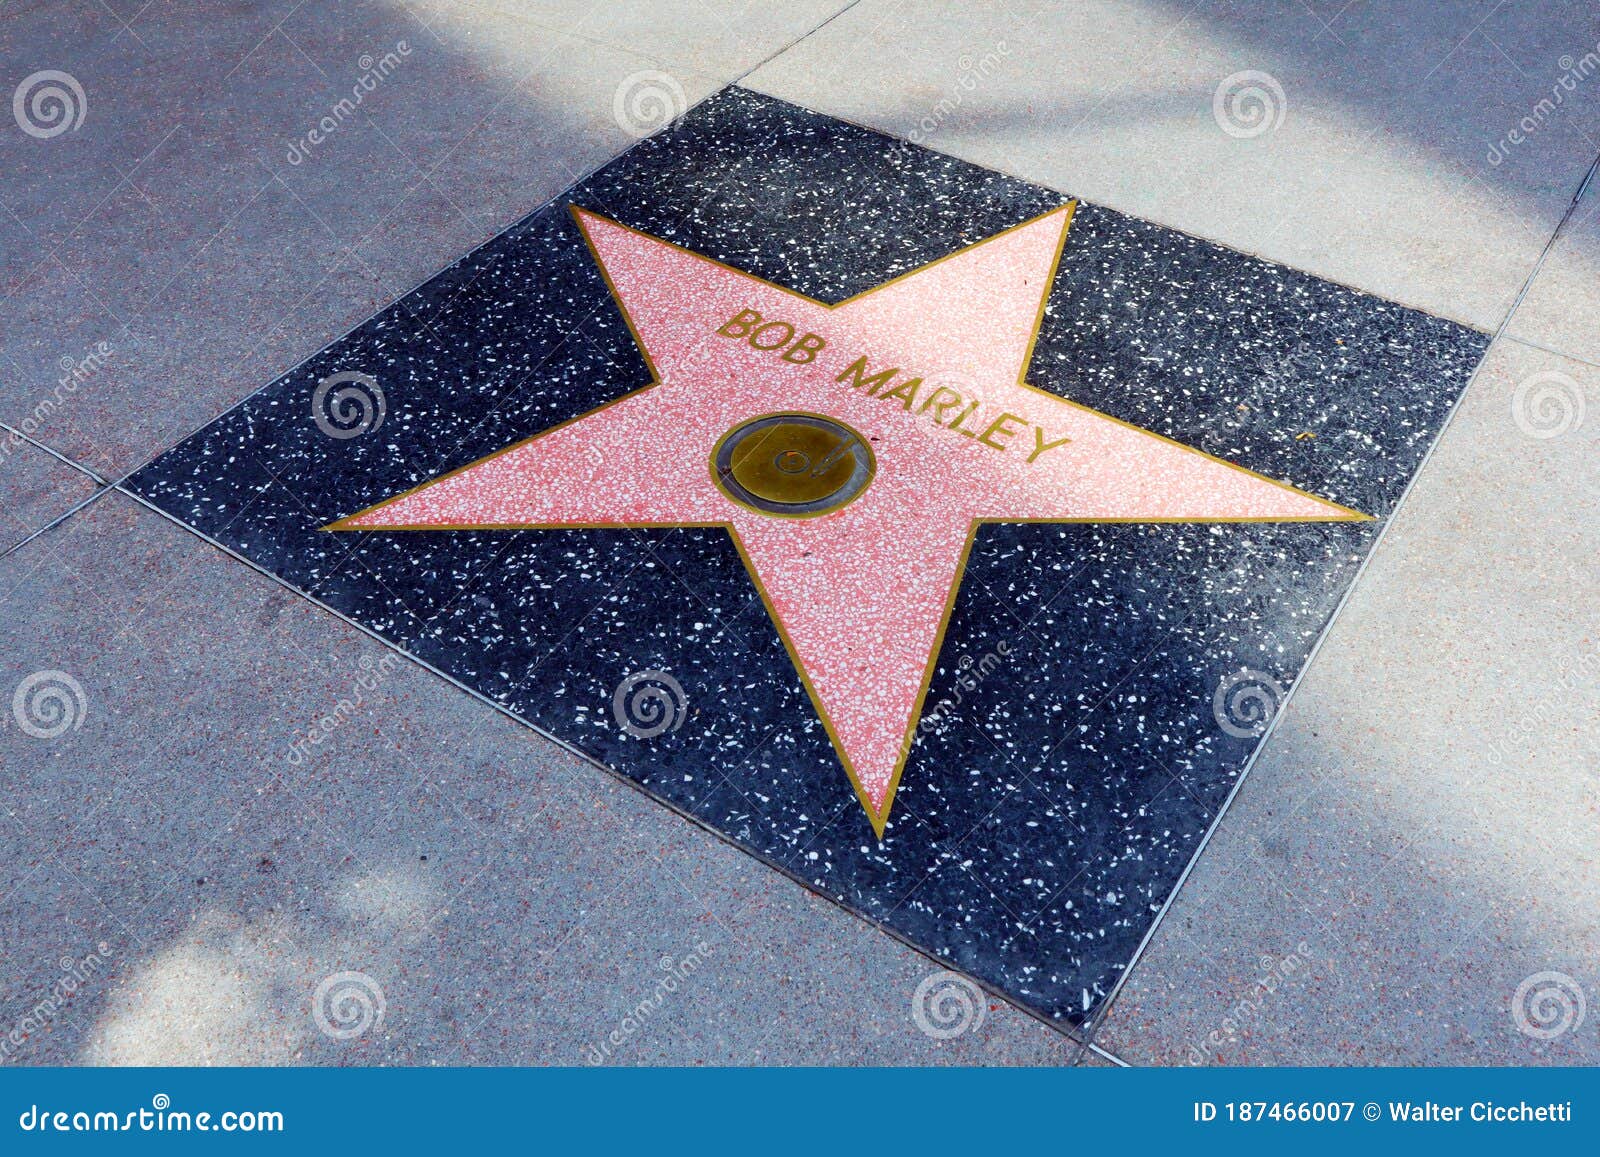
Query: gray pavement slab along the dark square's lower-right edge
[{"x": 1417, "y": 841}]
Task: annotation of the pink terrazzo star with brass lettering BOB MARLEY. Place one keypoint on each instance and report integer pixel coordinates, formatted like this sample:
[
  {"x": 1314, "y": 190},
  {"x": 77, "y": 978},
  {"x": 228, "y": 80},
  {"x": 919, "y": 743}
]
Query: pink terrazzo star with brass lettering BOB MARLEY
[{"x": 860, "y": 595}]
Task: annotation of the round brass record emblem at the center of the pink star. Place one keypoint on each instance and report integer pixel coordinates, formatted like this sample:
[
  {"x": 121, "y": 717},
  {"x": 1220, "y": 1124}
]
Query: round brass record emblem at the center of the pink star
[{"x": 793, "y": 465}]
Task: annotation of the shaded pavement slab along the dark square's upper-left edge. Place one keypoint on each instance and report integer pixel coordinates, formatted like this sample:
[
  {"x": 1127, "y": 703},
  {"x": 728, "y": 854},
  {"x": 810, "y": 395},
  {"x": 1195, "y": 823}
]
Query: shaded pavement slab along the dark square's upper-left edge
[{"x": 194, "y": 228}]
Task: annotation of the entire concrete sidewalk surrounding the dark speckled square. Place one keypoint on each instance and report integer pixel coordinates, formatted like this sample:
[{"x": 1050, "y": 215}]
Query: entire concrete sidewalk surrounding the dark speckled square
[{"x": 1407, "y": 876}]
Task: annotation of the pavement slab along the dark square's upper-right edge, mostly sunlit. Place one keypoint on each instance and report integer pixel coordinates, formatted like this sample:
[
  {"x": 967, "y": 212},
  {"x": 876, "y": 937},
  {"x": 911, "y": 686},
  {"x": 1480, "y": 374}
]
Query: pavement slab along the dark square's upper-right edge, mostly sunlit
[{"x": 1366, "y": 143}]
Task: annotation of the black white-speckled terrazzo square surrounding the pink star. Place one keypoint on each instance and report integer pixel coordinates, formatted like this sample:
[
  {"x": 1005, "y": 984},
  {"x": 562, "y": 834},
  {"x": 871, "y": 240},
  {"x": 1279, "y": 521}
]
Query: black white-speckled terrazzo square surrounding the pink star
[{"x": 1049, "y": 815}]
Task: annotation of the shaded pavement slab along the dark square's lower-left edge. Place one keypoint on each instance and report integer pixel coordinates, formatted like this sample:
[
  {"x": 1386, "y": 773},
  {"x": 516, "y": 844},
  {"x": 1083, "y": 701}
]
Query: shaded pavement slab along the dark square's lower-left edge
[{"x": 199, "y": 876}]
